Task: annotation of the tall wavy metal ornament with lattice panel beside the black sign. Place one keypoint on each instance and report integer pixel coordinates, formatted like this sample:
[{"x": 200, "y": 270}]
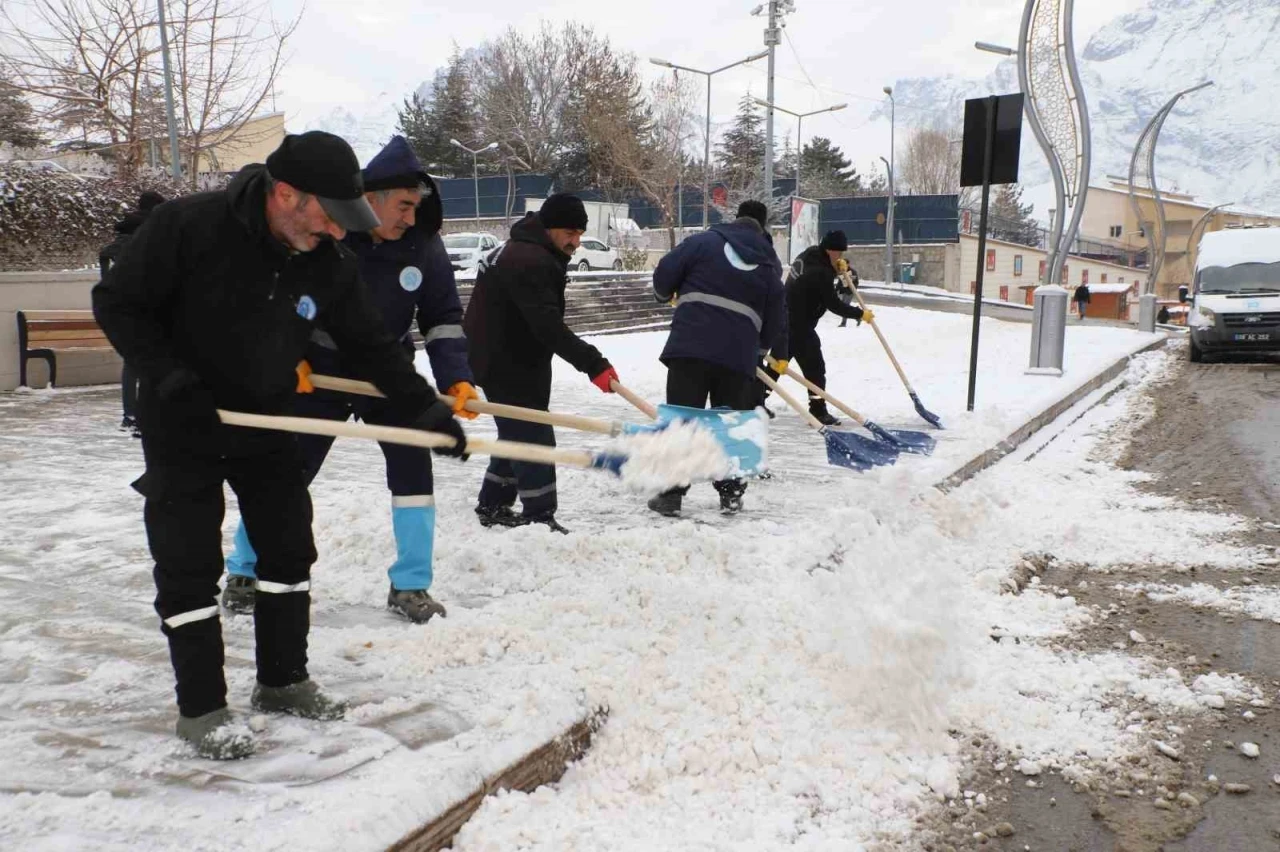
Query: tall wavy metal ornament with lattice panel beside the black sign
[{"x": 1059, "y": 116}]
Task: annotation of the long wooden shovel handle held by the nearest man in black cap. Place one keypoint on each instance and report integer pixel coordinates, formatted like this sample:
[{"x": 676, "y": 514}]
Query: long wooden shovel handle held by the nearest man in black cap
[{"x": 515, "y": 451}]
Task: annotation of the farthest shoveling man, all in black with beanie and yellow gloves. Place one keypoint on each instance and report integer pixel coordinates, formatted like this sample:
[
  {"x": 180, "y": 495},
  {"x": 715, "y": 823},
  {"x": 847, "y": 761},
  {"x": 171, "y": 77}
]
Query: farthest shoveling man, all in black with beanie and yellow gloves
[{"x": 811, "y": 294}]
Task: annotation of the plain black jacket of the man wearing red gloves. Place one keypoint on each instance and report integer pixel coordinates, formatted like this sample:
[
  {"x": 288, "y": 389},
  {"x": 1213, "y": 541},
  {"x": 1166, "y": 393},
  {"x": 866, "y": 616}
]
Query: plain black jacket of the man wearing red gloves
[{"x": 515, "y": 320}]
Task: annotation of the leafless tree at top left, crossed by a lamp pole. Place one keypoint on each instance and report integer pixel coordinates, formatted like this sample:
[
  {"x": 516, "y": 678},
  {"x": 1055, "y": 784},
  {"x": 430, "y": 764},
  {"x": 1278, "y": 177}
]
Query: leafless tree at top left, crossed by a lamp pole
[{"x": 94, "y": 70}]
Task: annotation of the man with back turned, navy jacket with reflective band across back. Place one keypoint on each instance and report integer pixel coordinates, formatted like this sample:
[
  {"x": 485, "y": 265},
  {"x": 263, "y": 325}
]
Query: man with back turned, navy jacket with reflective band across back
[{"x": 730, "y": 309}]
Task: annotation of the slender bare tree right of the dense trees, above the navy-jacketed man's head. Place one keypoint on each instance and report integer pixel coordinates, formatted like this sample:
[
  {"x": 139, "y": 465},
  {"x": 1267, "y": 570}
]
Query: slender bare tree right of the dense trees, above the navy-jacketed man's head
[{"x": 655, "y": 162}]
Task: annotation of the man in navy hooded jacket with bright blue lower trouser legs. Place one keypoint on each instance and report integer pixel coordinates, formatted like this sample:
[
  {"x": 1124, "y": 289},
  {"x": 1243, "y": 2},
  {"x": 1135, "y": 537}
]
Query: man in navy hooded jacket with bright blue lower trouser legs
[{"x": 406, "y": 268}]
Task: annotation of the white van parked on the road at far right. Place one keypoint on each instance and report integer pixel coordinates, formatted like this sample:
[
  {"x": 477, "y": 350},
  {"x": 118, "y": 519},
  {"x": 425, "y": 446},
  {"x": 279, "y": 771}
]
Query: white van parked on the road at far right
[{"x": 1236, "y": 299}]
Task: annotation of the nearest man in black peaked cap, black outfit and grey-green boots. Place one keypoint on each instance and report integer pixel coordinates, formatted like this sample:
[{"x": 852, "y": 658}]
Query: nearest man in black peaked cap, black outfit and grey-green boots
[{"x": 213, "y": 303}]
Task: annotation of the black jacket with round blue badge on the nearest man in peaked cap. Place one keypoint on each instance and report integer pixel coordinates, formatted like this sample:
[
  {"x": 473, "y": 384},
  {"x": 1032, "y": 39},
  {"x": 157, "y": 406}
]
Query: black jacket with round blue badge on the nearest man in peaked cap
[{"x": 204, "y": 287}]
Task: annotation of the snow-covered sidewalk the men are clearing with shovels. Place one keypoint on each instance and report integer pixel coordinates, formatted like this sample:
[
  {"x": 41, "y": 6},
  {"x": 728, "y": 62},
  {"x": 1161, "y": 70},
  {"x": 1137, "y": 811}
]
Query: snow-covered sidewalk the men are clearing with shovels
[{"x": 714, "y": 658}]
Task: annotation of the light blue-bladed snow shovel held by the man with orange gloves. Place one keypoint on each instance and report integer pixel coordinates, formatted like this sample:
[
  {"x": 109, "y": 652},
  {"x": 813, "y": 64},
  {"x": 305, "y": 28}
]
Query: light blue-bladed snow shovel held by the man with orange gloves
[{"x": 744, "y": 445}]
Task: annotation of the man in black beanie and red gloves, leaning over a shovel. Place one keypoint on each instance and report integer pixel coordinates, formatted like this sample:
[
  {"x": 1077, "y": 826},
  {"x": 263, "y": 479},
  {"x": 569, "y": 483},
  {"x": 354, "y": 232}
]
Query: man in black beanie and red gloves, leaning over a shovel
[{"x": 515, "y": 323}]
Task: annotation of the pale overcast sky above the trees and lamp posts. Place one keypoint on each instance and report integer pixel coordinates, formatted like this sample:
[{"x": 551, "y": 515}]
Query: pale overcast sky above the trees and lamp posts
[{"x": 371, "y": 56}]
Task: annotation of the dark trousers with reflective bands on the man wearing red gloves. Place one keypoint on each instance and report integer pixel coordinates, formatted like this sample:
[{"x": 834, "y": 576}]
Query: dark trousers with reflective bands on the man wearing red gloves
[{"x": 506, "y": 480}]
